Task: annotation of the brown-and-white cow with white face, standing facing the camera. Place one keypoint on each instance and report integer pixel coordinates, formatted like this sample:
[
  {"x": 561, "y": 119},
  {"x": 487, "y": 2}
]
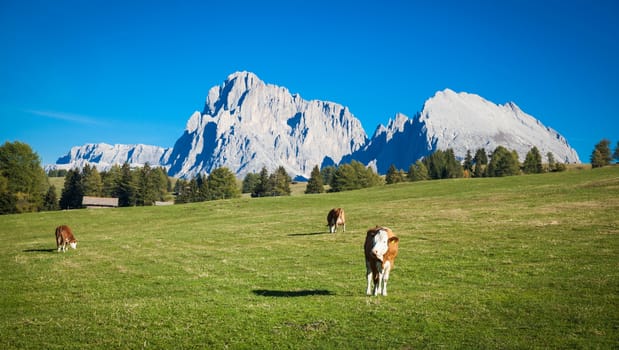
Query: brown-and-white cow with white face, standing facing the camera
[{"x": 381, "y": 248}]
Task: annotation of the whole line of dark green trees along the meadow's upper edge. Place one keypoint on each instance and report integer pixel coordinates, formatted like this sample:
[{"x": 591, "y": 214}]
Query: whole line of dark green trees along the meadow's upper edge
[{"x": 25, "y": 187}]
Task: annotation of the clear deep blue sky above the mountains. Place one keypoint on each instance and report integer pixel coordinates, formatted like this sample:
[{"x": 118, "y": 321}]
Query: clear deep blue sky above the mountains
[{"x": 76, "y": 72}]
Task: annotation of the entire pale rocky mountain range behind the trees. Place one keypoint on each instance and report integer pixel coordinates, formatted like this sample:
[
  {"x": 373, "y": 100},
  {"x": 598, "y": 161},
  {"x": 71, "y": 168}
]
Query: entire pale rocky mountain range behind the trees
[{"x": 247, "y": 124}]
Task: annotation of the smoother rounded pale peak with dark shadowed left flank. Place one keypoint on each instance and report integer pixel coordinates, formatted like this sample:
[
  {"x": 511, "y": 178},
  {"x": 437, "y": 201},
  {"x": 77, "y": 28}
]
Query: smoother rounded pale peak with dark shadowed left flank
[{"x": 462, "y": 122}]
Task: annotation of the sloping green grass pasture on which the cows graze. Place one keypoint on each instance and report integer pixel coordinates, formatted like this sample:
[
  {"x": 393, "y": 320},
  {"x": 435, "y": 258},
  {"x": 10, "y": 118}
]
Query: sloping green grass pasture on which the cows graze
[{"x": 508, "y": 263}]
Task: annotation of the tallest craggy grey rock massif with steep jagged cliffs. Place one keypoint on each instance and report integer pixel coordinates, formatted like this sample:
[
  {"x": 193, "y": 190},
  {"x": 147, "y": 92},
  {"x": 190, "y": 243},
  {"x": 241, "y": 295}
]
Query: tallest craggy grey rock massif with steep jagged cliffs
[{"x": 247, "y": 124}]
